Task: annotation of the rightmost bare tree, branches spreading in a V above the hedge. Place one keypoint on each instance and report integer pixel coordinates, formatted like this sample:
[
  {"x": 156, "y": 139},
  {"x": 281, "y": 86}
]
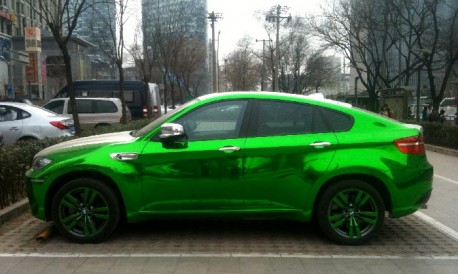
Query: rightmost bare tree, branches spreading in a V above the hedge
[{"x": 434, "y": 24}]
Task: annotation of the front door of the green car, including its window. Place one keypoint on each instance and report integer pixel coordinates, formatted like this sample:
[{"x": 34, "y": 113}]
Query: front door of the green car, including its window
[{"x": 198, "y": 173}]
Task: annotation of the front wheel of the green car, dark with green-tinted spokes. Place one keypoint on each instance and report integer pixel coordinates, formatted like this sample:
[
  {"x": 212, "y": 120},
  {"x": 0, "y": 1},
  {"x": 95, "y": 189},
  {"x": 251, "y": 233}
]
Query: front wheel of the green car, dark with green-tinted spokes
[{"x": 85, "y": 211}]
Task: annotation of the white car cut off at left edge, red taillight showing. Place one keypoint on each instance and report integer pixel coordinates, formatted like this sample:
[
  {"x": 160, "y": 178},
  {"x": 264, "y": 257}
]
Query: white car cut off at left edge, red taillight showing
[{"x": 19, "y": 121}]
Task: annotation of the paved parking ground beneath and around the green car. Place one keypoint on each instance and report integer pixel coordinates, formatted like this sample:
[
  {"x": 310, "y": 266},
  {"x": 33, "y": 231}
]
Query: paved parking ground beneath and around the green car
[{"x": 425, "y": 242}]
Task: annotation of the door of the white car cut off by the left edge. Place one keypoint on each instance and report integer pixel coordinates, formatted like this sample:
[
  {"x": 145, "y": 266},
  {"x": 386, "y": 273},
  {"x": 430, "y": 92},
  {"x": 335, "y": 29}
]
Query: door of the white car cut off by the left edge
[{"x": 10, "y": 123}]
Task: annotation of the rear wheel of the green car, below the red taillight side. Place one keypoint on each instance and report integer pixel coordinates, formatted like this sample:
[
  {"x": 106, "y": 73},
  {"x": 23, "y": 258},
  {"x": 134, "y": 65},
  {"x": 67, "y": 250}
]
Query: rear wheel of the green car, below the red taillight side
[{"x": 351, "y": 212}]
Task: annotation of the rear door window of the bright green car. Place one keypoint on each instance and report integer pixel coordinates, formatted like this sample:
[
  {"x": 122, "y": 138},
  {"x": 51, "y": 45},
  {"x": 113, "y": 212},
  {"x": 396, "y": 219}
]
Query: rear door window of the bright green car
[{"x": 275, "y": 118}]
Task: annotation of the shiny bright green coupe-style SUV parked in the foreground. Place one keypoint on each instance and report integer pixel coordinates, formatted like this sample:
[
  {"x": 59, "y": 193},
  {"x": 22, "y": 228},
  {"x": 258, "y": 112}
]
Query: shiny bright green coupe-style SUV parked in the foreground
[{"x": 250, "y": 154}]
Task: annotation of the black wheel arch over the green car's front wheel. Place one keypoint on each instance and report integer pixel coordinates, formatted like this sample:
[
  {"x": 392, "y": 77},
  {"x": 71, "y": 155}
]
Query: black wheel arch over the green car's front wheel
[{"x": 63, "y": 179}]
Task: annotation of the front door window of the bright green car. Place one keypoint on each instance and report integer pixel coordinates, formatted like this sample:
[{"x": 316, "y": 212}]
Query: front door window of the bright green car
[{"x": 221, "y": 120}]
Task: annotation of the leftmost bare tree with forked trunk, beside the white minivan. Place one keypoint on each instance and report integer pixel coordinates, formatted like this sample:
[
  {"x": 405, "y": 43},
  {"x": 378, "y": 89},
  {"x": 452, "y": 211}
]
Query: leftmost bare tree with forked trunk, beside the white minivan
[{"x": 61, "y": 17}]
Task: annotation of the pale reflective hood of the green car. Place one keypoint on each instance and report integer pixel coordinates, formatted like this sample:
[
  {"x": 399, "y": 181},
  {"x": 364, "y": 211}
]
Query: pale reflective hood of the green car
[{"x": 88, "y": 142}]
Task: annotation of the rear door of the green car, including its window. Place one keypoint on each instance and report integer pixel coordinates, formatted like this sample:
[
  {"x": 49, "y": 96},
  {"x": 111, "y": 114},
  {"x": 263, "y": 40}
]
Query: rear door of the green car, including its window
[{"x": 288, "y": 149}]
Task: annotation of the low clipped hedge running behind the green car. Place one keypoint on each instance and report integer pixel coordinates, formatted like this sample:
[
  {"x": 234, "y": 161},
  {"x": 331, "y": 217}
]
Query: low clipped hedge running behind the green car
[{"x": 16, "y": 159}]
